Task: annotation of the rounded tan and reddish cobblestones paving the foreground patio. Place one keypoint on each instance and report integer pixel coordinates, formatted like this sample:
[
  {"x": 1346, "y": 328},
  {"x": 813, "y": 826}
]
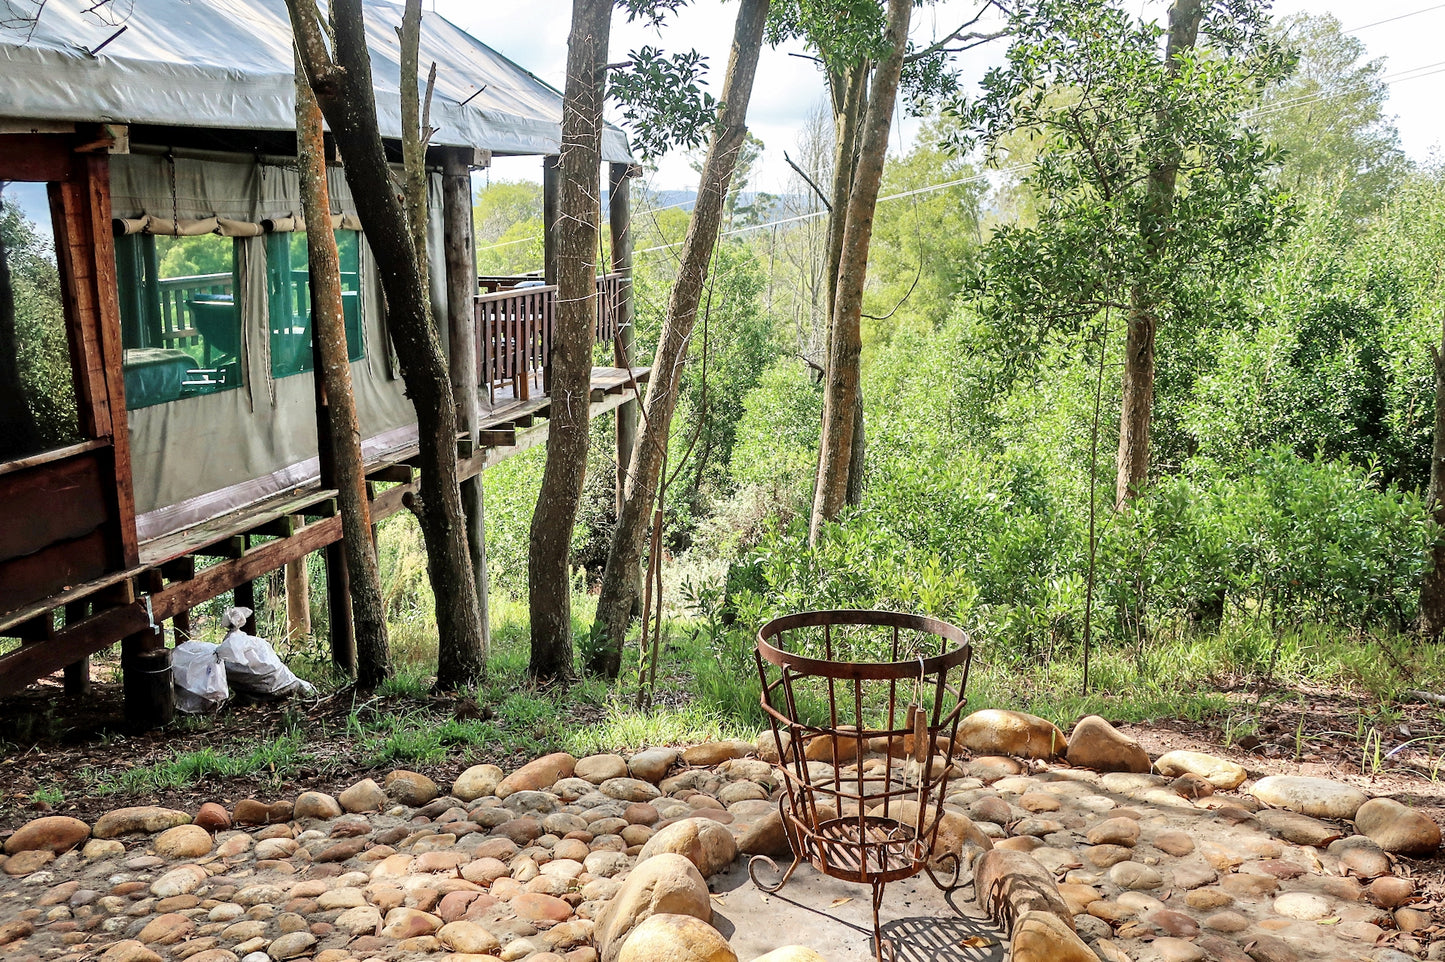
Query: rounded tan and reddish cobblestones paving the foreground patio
[{"x": 1080, "y": 847}]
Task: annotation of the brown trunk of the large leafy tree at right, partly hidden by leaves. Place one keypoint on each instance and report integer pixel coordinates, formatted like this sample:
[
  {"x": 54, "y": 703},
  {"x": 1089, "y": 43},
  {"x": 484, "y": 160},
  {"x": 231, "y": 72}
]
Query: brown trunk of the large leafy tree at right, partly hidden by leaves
[{"x": 1155, "y": 223}]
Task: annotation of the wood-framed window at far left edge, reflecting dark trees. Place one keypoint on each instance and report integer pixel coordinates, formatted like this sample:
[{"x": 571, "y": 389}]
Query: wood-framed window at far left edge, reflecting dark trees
[{"x": 38, "y": 409}]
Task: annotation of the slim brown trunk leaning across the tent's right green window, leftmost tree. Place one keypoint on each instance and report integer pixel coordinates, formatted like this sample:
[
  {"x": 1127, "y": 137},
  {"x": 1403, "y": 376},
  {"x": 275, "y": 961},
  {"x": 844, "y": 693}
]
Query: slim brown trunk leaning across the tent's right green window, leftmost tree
[{"x": 333, "y": 366}]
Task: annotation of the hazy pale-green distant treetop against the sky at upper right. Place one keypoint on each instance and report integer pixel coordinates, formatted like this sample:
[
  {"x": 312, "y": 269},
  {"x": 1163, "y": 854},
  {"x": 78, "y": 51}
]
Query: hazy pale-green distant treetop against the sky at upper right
[{"x": 1329, "y": 118}]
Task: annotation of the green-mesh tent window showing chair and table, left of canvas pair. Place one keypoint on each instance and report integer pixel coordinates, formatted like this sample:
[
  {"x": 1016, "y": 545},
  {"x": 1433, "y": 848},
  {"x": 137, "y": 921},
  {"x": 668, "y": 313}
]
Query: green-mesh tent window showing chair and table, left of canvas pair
[{"x": 180, "y": 323}]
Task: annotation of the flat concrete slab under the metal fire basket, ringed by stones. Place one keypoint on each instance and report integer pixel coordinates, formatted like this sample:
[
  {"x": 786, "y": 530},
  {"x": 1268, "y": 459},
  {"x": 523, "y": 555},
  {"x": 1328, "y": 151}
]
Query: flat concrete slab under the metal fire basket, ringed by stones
[{"x": 836, "y": 919}]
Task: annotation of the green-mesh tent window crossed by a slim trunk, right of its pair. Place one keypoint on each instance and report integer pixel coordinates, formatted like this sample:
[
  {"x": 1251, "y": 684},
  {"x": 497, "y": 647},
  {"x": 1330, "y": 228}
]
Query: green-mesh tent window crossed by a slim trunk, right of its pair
[{"x": 288, "y": 288}]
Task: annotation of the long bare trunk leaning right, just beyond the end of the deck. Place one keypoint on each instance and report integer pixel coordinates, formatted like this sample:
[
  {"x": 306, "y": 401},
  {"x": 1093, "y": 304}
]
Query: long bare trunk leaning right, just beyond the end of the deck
[{"x": 619, "y": 590}]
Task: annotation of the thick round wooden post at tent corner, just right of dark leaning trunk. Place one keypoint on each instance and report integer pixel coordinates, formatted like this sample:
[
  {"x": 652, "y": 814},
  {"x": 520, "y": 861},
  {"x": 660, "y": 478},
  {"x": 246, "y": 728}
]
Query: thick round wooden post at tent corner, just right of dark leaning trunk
[{"x": 462, "y": 294}]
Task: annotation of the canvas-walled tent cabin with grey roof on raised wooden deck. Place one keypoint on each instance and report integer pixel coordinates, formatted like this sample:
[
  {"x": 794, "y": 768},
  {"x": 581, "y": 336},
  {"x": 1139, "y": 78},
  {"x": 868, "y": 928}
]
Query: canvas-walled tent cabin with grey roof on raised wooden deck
[{"x": 158, "y": 408}]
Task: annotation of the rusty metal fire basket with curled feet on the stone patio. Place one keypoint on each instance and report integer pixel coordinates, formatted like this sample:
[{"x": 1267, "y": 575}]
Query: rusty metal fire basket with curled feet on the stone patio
[{"x": 888, "y": 729}]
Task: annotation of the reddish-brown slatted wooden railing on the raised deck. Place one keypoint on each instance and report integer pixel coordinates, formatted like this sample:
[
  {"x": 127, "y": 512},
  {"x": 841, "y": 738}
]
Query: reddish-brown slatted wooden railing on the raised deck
[{"x": 515, "y": 331}]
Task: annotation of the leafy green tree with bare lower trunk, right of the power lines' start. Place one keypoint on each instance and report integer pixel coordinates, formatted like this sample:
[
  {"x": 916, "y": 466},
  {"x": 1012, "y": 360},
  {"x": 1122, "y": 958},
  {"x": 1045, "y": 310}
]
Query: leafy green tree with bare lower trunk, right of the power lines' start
[{"x": 1152, "y": 186}]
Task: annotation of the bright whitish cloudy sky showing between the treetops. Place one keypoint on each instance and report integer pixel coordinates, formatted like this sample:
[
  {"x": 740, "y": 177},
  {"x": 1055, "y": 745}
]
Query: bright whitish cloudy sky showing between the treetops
[{"x": 790, "y": 87}]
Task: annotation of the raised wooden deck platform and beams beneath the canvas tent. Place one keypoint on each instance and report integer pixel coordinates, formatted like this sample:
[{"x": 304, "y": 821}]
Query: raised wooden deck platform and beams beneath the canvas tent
[{"x": 258, "y": 539}]
